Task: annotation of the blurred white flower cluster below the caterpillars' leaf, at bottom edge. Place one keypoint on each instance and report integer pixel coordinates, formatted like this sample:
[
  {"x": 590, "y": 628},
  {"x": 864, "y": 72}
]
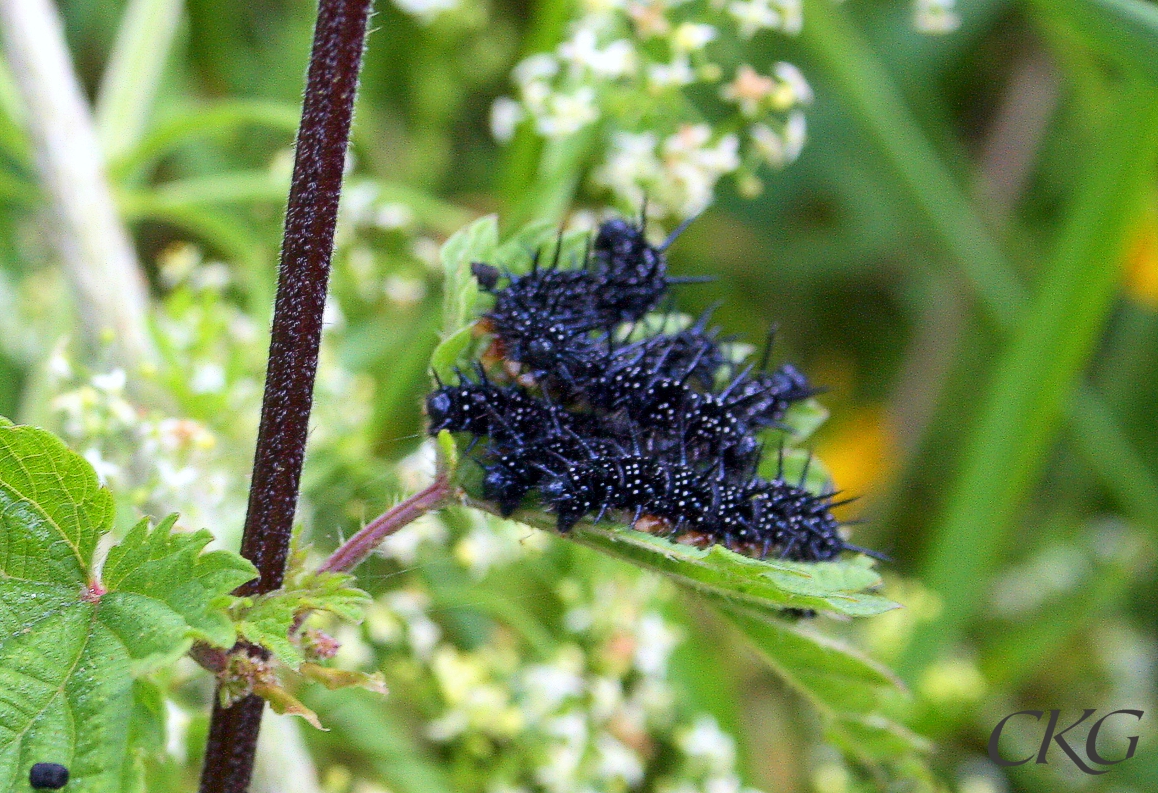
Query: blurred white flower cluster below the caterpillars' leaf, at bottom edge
[{"x": 592, "y": 711}]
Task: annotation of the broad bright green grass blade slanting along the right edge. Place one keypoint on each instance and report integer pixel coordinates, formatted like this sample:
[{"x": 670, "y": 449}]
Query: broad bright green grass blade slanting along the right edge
[{"x": 1037, "y": 375}]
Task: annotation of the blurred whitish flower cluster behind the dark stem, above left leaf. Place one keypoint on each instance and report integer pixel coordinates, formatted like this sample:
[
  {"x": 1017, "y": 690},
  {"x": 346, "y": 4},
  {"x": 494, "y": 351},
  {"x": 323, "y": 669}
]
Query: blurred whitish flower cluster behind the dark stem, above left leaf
[{"x": 192, "y": 458}]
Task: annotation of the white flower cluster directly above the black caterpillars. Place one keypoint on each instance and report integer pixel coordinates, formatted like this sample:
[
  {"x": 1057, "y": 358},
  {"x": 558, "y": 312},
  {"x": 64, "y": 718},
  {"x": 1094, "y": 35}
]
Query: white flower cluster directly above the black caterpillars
[{"x": 628, "y": 62}]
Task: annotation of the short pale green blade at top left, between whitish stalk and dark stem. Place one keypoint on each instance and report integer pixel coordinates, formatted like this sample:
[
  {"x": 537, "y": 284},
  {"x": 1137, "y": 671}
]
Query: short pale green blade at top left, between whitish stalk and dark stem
[{"x": 134, "y": 75}]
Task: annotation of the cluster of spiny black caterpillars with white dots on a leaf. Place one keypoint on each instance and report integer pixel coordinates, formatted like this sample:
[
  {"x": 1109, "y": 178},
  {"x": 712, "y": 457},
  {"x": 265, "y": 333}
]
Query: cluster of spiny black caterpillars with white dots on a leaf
[{"x": 664, "y": 429}]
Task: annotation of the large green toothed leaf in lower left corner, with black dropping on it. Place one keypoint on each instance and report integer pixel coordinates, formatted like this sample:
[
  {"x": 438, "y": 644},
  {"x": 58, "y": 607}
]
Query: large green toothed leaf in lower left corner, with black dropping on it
[{"x": 74, "y": 638}]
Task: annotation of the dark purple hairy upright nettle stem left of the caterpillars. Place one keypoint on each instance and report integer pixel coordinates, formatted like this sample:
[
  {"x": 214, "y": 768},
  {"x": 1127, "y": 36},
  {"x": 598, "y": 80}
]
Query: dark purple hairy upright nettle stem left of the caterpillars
[{"x": 311, "y": 217}]
